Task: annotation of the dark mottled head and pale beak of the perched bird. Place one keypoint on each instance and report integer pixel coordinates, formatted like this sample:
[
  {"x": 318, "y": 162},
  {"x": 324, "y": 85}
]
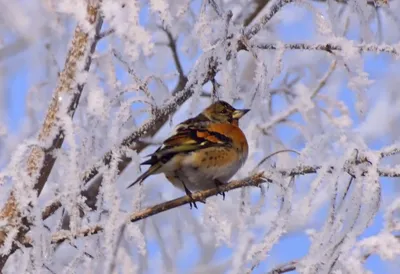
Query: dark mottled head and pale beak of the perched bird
[{"x": 223, "y": 112}]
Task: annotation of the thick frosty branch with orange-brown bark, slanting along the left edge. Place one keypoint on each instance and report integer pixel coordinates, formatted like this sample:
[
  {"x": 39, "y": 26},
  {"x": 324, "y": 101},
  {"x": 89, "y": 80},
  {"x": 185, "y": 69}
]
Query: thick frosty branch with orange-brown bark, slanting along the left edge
[{"x": 64, "y": 102}]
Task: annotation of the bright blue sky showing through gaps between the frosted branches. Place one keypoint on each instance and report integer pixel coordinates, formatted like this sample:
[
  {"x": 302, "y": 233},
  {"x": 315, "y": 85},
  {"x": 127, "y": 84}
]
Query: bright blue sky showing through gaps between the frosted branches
[{"x": 289, "y": 248}]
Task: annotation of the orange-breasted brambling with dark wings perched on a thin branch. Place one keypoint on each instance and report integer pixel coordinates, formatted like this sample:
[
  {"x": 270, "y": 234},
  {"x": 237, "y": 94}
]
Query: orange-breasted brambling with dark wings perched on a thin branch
[{"x": 202, "y": 152}]
